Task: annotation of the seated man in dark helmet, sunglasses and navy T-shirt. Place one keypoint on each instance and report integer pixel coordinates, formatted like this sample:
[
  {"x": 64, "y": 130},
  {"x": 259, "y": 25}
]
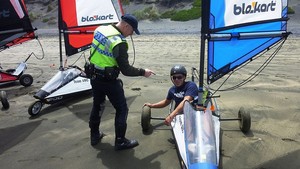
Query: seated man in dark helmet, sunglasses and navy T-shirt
[{"x": 180, "y": 92}]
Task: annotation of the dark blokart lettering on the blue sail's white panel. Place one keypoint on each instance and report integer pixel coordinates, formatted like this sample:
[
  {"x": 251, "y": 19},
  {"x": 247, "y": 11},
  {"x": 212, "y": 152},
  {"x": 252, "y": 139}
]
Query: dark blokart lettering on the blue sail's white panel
[{"x": 254, "y": 7}]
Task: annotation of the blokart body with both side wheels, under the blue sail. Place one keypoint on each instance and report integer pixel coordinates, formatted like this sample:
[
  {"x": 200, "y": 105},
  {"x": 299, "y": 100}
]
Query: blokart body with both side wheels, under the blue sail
[{"x": 197, "y": 133}]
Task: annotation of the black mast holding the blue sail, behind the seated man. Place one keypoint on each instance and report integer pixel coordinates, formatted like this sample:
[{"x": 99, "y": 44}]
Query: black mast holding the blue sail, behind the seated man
[{"x": 205, "y": 6}]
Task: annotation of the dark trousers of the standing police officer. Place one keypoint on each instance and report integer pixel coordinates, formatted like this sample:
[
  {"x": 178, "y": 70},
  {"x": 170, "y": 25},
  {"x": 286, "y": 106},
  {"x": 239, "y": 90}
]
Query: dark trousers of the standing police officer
[{"x": 115, "y": 93}]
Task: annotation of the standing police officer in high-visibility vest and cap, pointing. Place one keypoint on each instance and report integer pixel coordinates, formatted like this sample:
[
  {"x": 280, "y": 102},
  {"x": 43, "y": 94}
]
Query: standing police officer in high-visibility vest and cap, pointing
[{"x": 109, "y": 57}]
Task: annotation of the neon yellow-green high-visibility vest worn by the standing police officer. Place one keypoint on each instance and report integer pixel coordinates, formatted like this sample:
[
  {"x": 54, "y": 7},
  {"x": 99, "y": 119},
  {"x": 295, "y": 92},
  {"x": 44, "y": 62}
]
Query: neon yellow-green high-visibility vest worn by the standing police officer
[{"x": 105, "y": 39}]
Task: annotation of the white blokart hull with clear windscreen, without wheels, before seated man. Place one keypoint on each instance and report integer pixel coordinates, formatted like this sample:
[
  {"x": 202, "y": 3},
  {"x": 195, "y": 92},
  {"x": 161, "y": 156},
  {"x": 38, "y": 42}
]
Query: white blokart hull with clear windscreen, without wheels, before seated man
[{"x": 197, "y": 135}]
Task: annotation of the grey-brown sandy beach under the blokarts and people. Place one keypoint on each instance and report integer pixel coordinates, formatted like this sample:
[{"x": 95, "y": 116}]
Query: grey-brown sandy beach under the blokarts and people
[{"x": 59, "y": 136}]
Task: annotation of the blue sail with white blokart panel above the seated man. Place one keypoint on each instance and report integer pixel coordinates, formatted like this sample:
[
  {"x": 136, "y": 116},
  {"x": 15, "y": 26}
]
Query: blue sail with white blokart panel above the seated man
[{"x": 240, "y": 30}]
